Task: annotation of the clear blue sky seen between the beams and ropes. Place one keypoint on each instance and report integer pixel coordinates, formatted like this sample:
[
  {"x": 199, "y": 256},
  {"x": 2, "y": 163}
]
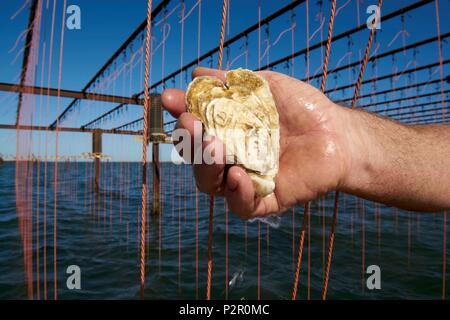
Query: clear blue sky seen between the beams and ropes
[{"x": 106, "y": 24}]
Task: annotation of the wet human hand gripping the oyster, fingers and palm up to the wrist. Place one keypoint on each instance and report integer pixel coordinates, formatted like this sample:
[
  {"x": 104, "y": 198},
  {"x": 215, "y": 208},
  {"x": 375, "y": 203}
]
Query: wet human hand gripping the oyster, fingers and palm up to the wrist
[{"x": 312, "y": 149}]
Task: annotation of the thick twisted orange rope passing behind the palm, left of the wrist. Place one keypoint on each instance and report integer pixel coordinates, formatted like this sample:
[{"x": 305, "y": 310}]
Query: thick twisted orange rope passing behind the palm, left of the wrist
[{"x": 306, "y": 210}]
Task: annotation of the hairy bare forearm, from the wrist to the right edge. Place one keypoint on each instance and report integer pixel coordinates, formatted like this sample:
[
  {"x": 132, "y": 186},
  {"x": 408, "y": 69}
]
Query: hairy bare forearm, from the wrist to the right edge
[{"x": 399, "y": 165}]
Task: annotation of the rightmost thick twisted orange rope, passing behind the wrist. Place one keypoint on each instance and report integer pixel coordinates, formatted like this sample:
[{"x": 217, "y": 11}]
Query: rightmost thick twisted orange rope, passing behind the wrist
[{"x": 336, "y": 196}]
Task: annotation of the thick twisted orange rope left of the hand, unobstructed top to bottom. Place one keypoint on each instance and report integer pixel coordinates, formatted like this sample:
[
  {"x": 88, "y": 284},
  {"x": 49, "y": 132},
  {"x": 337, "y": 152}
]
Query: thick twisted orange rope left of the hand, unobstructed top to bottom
[{"x": 144, "y": 144}]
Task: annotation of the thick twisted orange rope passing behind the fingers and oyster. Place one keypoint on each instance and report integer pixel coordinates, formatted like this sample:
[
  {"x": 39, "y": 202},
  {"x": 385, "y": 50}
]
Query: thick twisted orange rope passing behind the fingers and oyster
[{"x": 211, "y": 199}]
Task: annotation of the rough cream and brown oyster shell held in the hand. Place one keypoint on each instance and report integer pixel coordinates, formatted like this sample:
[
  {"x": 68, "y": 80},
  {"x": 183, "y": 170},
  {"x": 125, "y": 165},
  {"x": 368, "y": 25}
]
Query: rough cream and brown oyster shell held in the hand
[{"x": 242, "y": 113}]
